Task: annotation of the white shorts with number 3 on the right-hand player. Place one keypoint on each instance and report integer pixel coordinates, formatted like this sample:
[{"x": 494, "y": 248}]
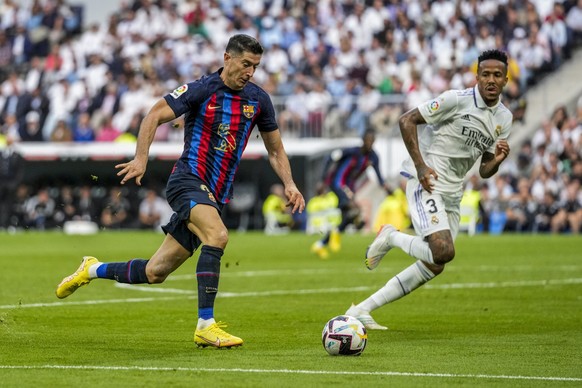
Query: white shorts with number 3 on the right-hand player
[{"x": 432, "y": 213}]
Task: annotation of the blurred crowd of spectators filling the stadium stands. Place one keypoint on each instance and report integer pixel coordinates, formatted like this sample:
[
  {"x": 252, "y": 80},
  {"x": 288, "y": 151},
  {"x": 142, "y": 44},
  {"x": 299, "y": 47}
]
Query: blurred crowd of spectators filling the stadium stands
[{"x": 333, "y": 68}]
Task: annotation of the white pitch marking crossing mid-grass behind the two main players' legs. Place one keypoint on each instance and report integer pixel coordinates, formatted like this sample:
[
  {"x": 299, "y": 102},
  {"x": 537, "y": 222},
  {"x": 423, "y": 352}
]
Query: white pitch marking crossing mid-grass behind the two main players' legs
[{"x": 189, "y": 294}]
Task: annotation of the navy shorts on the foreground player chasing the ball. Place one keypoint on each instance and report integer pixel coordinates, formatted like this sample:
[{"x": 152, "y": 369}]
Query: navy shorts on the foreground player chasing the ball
[{"x": 184, "y": 191}]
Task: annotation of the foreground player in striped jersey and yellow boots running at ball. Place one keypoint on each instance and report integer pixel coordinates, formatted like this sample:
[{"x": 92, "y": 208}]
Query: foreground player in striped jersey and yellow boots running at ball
[{"x": 220, "y": 111}]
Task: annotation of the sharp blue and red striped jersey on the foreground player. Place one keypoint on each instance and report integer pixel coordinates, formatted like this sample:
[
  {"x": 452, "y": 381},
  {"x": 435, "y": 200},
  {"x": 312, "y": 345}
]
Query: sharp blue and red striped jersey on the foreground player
[{"x": 217, "y": 126}]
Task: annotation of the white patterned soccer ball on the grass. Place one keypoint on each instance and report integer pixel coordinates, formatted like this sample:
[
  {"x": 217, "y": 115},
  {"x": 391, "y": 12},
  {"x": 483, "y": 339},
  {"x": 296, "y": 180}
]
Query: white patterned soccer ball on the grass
[{"x": 344, "y": 335}]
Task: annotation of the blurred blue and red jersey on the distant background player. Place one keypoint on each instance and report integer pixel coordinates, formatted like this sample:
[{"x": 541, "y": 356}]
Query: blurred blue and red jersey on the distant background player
[{"x": 345, "y": 170}]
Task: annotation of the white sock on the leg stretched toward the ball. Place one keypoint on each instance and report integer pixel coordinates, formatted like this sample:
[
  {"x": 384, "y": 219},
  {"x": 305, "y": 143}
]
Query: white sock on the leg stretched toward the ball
[{"x": 402, "y": 284}]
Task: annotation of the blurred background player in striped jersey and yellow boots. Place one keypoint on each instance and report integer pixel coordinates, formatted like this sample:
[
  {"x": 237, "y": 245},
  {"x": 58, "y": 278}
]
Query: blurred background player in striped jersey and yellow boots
[{"x": 341, "y": 173}]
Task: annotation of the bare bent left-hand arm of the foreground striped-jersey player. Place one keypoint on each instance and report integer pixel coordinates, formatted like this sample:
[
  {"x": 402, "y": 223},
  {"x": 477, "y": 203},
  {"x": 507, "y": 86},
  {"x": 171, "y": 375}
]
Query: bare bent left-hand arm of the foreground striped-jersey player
[{"x": 160, "y": 113}]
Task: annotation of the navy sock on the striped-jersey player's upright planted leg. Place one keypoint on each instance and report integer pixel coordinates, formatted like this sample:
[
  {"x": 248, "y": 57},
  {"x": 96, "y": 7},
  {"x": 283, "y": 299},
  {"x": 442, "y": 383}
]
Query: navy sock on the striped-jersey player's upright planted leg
[{"x": 208, "y": 274}]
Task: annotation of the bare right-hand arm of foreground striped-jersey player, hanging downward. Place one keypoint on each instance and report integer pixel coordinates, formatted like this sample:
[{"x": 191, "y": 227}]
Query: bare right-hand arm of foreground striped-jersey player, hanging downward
[{"x": 280, "y": 163}]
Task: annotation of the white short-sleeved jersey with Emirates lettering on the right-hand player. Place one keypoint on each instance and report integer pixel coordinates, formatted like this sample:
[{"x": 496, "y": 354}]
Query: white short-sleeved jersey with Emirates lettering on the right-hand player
[{"x": 460, "y": 128}]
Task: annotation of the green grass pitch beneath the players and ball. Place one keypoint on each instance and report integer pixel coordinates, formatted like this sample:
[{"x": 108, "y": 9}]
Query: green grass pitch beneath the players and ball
[{"x": 506, "y": 312}]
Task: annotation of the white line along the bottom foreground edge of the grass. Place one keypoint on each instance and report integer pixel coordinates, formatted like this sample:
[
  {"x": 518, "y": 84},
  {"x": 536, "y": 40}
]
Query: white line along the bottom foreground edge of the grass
[{"x": 293, "y": 371}]
